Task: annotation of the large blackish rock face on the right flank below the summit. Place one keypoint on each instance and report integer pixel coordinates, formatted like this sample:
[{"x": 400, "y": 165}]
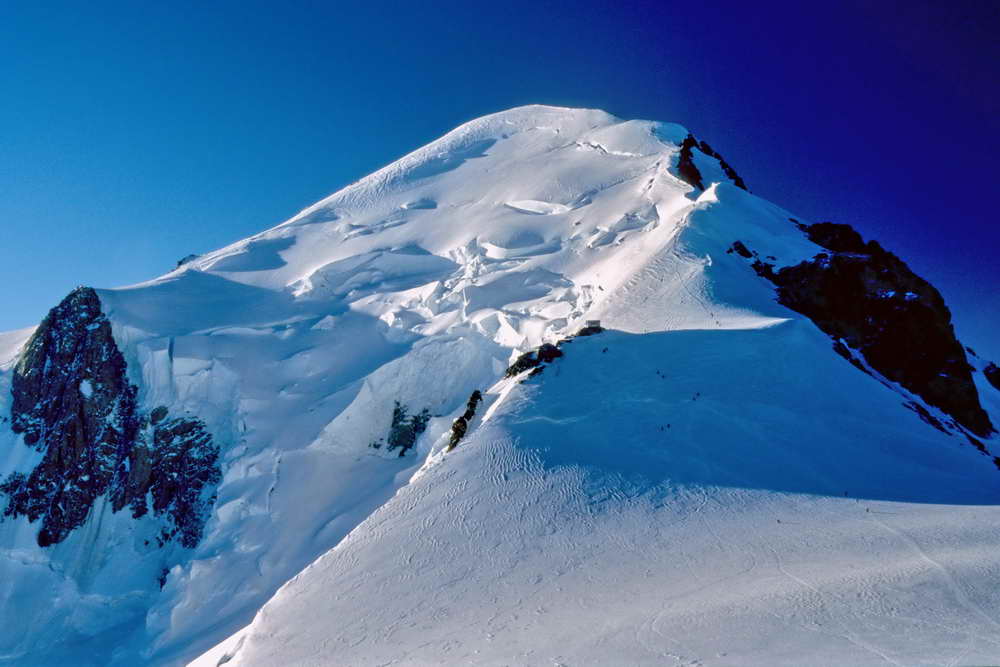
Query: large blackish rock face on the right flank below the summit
[{"x": 868, "y": 299}]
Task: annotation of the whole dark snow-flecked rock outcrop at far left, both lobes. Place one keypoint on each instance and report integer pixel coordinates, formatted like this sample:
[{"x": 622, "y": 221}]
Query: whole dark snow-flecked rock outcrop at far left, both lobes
[{"x": 73, "y": 401}]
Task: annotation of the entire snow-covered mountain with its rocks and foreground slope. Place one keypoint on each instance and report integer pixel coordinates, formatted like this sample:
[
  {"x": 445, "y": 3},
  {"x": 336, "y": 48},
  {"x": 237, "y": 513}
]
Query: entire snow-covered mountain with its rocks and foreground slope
[{"x": 372, "y": 434}]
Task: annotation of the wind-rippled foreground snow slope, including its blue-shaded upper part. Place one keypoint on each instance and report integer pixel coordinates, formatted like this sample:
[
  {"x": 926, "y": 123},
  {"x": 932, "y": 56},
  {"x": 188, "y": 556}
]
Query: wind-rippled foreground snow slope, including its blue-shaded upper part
[{"x": 691, "y": 497}]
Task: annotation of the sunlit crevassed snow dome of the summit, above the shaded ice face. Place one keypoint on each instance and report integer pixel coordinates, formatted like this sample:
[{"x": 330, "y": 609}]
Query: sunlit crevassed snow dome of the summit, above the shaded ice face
[{"x": 514, "y": 226}]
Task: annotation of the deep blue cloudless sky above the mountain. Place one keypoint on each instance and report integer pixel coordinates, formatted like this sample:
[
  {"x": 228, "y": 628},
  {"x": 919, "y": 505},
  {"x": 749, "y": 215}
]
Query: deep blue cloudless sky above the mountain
[{"x": 134, "y": 133}]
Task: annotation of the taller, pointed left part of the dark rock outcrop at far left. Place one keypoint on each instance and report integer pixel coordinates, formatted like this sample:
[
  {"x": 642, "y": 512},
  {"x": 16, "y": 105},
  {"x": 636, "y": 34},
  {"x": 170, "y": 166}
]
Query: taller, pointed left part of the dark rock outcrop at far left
[{"x": 70, "y": 400}]
